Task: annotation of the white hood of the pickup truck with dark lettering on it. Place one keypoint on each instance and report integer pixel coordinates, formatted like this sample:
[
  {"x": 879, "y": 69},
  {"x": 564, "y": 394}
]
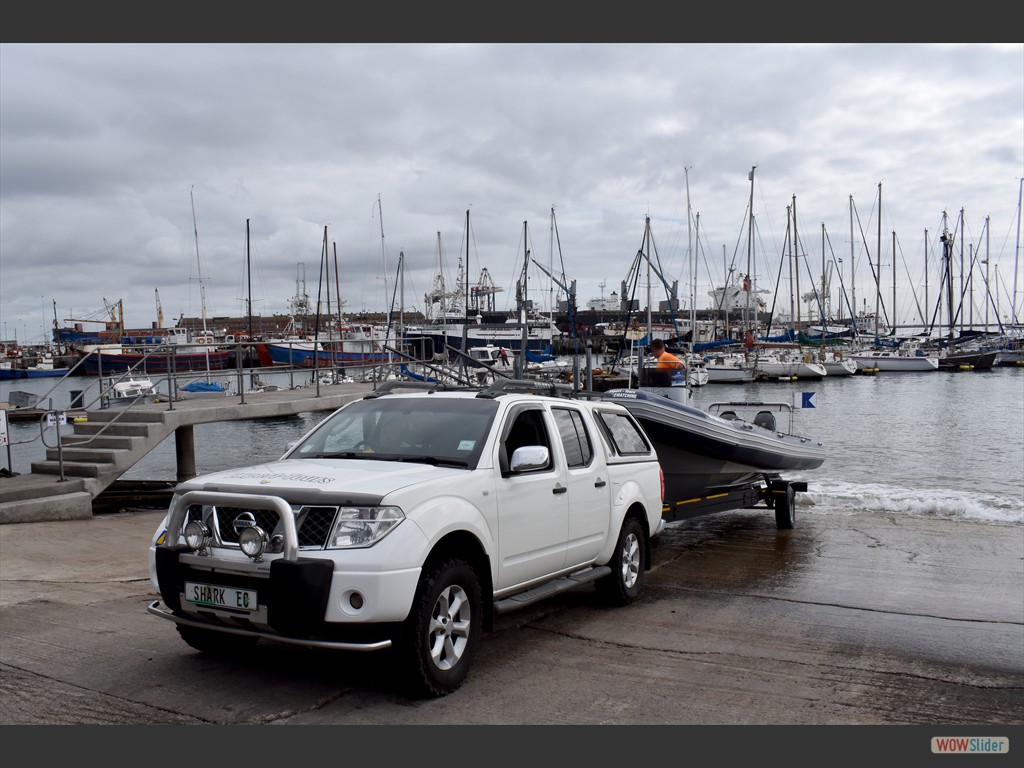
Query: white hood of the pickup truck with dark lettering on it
[{"x": 323, "y": 481}]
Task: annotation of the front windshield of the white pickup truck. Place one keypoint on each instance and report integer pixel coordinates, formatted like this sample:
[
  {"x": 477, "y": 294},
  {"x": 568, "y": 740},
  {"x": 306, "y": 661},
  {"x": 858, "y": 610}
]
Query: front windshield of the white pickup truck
[{"x": 449, "y": 432}]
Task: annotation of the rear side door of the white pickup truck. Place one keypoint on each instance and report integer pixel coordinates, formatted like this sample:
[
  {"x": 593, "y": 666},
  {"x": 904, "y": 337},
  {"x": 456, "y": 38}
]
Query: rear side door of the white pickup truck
[{"x": 590, "y": 489}]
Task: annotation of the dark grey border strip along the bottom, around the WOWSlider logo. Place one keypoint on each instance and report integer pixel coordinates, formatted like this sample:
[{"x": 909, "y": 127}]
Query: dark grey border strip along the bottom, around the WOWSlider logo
[{"x": 569, "y": 745}]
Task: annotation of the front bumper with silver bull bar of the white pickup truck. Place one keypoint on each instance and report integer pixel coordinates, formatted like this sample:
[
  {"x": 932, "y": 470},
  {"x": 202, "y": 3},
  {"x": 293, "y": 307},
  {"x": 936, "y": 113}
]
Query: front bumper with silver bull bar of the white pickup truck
[{"x": 355, "y": 600}]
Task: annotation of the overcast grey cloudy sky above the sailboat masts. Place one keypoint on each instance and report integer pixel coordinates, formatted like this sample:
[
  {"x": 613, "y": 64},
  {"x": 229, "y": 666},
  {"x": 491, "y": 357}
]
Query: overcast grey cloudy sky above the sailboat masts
[{"x": 106, "y": 148}]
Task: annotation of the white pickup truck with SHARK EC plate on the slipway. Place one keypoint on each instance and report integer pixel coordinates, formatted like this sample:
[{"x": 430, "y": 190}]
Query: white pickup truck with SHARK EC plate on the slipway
[{"x": 408, "y": 520}]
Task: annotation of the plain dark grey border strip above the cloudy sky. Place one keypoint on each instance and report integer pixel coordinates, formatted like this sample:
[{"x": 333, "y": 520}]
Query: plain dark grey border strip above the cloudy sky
[{"x": 527, "y": 21}]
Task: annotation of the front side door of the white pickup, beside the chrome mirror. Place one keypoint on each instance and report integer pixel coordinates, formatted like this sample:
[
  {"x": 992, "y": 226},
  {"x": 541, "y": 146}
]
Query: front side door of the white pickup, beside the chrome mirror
[{"x": 533, "y": 506}]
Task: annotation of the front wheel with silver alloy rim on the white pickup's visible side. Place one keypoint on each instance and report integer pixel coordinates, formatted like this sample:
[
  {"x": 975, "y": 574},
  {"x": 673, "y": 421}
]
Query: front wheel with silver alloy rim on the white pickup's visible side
[{"x": 444, "y": 629}]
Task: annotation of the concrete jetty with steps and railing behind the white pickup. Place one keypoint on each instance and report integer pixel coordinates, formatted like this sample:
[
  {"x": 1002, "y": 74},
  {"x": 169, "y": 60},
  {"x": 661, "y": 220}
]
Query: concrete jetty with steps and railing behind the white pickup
[{"x": 110, "y": 442}]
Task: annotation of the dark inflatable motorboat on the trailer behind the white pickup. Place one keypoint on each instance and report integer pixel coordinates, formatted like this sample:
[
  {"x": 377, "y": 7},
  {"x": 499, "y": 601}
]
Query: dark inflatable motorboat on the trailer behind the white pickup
[{"x": 731, "y": 444}]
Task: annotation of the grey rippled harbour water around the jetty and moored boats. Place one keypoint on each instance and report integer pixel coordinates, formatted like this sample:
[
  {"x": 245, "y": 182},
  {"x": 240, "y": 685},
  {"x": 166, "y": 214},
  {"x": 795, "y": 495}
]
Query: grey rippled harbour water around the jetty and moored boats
[{"x": 941, "y": 444}]
